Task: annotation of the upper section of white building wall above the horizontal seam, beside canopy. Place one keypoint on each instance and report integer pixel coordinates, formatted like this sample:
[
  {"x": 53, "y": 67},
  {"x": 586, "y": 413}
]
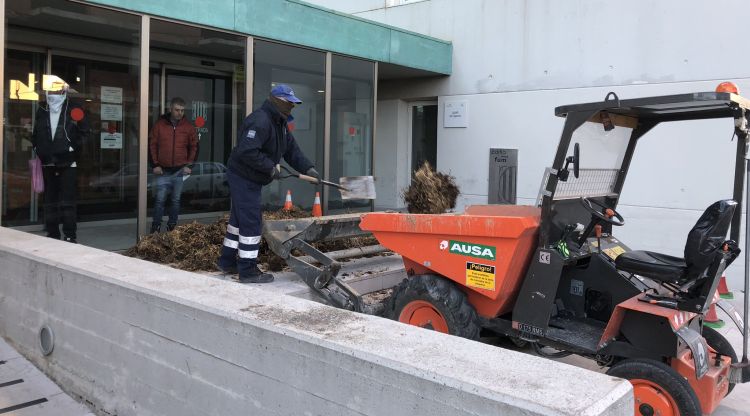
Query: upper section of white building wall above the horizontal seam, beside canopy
[{"x": 512, "y": 45}]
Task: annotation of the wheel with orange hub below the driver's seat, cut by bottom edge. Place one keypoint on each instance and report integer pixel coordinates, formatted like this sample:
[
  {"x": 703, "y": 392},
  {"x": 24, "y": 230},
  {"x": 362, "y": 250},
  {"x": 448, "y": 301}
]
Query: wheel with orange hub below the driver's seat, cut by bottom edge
[{"x": 667, "y": 381}]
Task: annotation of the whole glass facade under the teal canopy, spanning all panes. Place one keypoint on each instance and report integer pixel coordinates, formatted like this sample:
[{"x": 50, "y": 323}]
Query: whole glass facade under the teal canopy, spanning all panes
[{"x": 97, "y": 52}]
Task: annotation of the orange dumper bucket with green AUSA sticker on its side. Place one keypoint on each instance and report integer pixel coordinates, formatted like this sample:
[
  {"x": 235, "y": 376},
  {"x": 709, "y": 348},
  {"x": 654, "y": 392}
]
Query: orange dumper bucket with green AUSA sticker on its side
[{"x": 485, "y": 250}]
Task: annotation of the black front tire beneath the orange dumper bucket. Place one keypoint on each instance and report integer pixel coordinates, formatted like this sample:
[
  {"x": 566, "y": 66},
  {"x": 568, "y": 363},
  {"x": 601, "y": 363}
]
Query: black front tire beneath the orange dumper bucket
[{"x": 443, "y": 295}]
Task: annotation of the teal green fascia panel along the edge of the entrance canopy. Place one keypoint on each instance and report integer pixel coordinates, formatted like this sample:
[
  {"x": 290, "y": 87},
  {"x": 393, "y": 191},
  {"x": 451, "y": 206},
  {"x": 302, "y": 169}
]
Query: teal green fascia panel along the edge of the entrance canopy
[{"x": 304, "y": 24}]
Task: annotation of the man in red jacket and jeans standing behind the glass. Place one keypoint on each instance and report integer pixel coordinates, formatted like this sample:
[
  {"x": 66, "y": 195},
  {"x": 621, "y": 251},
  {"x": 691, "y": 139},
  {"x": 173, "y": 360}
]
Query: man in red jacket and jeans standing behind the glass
[{"x": 173, "y": 146}]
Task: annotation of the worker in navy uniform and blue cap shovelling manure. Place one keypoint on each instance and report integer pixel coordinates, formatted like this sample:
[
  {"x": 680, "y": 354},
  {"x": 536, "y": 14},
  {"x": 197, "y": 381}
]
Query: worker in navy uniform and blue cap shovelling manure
[{"x": 263, "y": 140}]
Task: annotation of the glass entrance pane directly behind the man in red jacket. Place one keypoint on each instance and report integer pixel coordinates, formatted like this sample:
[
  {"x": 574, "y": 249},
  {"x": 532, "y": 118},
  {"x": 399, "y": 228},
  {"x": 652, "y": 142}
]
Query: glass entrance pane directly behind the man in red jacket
[{"x": 206, "y": 69}]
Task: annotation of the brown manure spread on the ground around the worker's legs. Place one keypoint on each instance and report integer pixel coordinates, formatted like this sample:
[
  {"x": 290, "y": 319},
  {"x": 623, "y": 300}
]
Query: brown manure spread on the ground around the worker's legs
[{"x": 197, "y": 246}]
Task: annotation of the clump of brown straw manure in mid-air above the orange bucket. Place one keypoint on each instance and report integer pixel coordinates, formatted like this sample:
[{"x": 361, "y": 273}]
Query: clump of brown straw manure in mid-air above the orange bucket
[{"x": 430, "y": 192}]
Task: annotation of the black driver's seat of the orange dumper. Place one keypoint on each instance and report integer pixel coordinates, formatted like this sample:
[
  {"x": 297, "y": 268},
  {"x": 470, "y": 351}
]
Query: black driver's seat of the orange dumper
[{"x": 702, "y": 245}]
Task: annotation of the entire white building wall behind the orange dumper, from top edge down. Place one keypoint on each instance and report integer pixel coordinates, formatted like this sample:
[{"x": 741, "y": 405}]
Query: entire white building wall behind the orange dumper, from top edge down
[{"x": 514, "y": 61}]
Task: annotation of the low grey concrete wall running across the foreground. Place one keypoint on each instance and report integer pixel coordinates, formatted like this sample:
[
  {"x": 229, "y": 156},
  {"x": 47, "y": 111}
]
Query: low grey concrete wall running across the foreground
[{"x": 135, "y": 338}]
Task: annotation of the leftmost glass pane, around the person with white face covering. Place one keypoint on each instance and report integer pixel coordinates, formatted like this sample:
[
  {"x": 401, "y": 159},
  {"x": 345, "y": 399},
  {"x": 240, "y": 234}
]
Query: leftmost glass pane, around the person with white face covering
[{"x": 96, "y": 52}]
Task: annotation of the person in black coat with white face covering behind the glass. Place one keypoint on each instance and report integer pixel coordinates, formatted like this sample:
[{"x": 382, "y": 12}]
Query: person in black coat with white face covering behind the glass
[{"x": 60, "y": 127}]
